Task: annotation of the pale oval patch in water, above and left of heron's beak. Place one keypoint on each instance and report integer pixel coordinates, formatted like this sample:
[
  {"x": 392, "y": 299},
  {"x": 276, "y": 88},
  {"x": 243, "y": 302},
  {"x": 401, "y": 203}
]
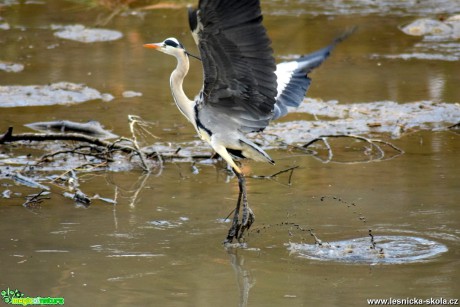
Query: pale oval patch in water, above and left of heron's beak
[{"x": 86, "y": 35}]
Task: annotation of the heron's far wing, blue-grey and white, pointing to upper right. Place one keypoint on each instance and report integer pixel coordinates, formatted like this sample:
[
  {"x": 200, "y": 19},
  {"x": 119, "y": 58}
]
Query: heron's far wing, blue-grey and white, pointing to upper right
[{"x": 293, "y": 80}]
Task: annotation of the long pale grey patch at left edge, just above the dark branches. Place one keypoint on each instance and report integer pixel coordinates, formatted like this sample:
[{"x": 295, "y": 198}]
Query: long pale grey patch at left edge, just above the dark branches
[{"x": 45, "y": 95}]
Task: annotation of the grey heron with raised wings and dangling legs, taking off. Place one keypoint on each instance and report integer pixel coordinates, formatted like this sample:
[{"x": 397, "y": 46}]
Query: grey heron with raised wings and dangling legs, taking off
[{"x": 243, "y": 88}]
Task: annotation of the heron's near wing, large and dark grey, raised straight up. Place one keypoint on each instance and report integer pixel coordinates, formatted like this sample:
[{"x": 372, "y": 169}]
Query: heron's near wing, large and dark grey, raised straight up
[{"x": 239, "y": 79}]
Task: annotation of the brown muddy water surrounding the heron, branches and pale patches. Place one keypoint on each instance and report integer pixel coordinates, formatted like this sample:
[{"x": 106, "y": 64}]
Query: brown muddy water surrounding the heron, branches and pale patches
[{"x": 160, "y": 245}]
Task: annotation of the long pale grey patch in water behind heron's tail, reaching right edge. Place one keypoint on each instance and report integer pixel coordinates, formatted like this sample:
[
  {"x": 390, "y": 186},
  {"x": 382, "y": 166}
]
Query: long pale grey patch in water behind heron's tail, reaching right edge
[{"x": 361, "y": 119}]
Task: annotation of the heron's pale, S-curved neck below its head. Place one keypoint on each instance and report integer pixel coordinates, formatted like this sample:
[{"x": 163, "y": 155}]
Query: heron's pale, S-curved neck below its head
[{"x": 185, "y": 105}]
